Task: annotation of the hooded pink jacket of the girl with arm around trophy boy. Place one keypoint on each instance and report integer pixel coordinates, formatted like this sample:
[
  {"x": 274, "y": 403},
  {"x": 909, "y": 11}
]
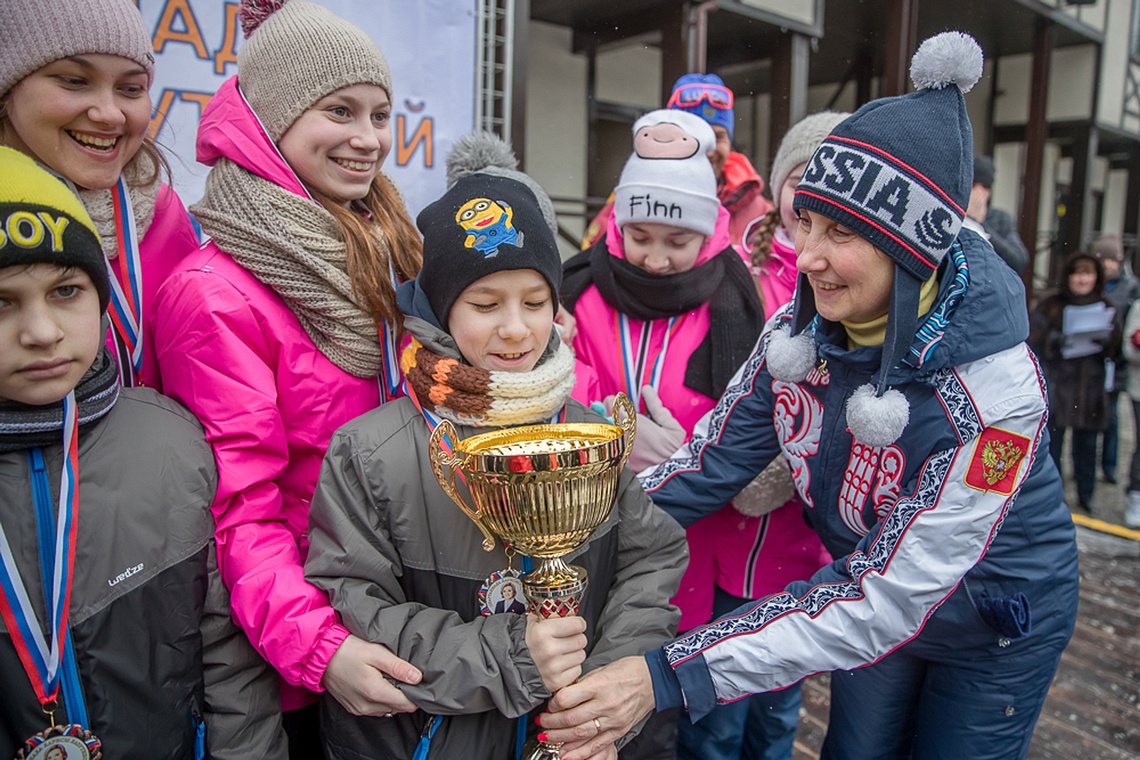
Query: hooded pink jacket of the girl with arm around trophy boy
[{"x": 232, "y": 352}]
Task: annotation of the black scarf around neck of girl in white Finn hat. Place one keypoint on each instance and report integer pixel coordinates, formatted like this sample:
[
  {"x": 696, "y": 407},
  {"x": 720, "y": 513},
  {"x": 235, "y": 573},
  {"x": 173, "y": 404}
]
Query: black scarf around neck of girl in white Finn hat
[{"x": 736, "y": 315}]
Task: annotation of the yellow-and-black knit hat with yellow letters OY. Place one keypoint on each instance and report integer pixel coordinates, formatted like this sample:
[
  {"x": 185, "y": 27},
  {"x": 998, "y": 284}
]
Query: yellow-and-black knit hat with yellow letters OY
[{"x": 43, "y": 223}]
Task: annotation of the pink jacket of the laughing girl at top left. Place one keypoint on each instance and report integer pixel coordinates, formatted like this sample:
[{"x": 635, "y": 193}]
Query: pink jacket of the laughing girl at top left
[{"x": 168, "y": 241}]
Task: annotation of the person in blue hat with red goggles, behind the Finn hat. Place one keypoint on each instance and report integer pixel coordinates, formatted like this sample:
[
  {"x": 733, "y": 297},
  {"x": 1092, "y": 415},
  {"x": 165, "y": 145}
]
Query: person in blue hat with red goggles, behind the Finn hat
[{"x": 740, "y": 189}]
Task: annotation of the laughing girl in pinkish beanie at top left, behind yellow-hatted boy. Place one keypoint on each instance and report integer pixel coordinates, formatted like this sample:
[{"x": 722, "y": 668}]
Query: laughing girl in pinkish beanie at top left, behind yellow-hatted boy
[{"x": 75, "y": 97}]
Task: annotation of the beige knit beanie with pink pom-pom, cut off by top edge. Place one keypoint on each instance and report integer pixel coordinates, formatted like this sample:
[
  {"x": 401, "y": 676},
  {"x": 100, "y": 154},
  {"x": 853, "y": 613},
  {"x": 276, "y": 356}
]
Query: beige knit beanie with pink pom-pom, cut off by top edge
[{"x": 296, "y": 54}]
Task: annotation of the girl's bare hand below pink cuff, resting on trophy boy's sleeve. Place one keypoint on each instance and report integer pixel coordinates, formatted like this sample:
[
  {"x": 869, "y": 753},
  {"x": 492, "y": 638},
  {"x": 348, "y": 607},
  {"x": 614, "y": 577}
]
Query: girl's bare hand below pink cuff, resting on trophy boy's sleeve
[{"x": 356, "y": 676}]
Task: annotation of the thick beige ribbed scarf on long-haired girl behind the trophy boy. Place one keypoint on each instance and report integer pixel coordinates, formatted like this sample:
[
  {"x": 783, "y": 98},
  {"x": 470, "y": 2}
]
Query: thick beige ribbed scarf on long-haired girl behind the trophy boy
[{"x": 295, "y": 247}]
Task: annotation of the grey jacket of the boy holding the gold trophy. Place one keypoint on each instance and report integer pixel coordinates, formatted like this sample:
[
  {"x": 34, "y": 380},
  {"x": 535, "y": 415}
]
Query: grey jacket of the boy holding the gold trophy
[{"x": 404, "y": 566}]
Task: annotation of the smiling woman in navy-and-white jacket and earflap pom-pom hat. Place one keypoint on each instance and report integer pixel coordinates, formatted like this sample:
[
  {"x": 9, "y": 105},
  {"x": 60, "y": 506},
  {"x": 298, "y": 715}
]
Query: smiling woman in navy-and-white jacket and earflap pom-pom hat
[{"x": 900, "y": 389}]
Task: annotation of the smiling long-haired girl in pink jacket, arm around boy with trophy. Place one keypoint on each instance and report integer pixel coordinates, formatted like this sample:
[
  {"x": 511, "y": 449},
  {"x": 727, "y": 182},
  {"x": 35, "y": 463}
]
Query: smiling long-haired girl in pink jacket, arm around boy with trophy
[{"x": 284, "y": 328}]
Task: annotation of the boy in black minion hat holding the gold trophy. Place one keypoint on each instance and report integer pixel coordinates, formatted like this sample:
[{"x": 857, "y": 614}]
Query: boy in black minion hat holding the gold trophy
[{"x": 405, "y": 568}]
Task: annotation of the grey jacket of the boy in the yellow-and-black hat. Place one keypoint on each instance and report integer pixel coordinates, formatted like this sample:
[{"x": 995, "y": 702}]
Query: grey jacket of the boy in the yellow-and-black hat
[{"x": 150, "y": 617}]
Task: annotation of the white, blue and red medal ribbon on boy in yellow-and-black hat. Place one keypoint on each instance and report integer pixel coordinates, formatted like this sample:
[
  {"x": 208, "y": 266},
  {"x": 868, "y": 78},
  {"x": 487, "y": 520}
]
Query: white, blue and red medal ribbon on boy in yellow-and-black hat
[{"x": 39, "y": 657}]
